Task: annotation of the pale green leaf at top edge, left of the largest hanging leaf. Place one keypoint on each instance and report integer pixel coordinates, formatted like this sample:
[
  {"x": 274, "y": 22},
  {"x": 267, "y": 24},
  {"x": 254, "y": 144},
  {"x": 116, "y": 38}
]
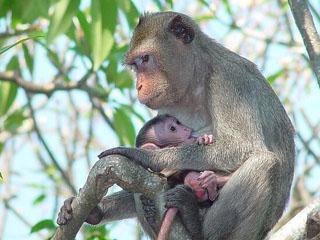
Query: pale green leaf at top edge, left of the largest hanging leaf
[{"x": 61, "y": 18}]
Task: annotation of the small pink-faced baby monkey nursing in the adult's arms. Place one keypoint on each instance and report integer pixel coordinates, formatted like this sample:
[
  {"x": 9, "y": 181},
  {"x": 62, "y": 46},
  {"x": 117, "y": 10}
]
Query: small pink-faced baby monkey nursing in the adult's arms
[{"x": 166, "y": 131}]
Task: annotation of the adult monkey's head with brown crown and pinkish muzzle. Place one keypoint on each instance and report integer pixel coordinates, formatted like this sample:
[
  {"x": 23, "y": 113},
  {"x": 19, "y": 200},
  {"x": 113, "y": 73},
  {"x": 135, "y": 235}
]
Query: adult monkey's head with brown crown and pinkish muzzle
[{"x": 161, "y": 54}]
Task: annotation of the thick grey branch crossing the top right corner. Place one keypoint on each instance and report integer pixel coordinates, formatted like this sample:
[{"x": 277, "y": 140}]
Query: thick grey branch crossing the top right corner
[{"x": 308, "y": 31}]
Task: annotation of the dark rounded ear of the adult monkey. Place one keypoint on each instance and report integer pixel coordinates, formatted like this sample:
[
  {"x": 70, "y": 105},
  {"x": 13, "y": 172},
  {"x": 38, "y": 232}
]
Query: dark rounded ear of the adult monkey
[{"x": 181, "y": 30}]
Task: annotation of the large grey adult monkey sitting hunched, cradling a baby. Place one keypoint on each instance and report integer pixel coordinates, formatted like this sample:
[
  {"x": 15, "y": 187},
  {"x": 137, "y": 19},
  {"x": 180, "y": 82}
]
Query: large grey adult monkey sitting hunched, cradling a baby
[{"x": 182, "y": 72}]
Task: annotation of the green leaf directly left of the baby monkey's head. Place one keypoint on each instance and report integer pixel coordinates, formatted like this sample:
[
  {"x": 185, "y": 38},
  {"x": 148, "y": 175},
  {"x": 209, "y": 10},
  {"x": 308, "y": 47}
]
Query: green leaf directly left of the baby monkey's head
[{"x": 124, "y": 127}]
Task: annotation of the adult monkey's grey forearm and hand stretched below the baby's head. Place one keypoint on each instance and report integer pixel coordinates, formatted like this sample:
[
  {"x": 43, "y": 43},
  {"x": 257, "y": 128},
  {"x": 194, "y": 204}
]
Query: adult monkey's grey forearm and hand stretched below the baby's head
[{"x": 223, "y": 156}]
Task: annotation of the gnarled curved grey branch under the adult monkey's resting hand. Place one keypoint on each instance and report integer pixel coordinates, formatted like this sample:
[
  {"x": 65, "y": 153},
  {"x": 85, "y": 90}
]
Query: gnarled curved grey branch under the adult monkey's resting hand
[{"x": 106, "y": 172}]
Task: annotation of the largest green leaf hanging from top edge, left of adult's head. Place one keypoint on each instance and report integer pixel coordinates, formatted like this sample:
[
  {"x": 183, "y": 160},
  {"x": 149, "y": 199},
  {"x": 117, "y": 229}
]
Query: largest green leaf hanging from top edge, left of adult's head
[{"x": 104, "y": 17}]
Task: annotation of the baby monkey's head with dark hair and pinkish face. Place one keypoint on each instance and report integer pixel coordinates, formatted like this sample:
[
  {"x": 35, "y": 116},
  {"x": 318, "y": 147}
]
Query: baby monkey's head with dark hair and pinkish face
[{"x": 164, "y": 131}]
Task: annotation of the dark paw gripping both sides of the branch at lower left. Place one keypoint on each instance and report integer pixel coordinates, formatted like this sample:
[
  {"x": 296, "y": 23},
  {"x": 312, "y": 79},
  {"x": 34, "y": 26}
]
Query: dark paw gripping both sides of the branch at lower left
[{"x": 65, "y": 214}]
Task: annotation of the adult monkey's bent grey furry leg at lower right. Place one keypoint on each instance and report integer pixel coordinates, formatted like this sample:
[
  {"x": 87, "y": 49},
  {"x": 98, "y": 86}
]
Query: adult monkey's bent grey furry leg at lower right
[{"x": 250, "y": 203}]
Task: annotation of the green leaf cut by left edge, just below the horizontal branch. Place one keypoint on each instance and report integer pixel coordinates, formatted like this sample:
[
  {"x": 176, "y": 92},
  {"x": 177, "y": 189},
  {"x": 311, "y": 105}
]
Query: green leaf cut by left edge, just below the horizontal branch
[{"x": 8, "y": 93}]
